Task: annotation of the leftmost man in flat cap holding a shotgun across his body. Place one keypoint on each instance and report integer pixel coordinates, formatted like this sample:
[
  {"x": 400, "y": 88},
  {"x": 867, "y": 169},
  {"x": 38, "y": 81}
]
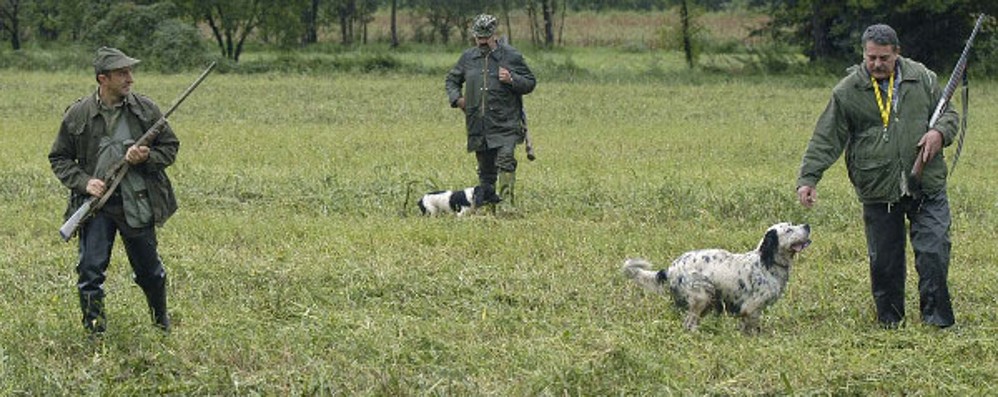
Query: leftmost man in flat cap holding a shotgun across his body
[{"x": 98, "y": 131}]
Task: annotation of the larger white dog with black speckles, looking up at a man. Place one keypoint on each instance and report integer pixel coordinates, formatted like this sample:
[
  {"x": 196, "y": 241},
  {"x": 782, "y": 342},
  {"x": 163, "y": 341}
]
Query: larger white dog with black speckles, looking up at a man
[{"x": 742, "y": 284}]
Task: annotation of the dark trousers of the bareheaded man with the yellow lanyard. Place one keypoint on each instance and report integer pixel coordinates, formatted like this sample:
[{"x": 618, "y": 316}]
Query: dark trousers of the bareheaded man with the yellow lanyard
[{"x": 929, "y": 219}]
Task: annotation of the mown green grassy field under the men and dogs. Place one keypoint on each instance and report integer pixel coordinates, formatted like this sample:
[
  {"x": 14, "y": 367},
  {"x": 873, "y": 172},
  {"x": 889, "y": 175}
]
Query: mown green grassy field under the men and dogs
[{"x": 297, "y": 269}]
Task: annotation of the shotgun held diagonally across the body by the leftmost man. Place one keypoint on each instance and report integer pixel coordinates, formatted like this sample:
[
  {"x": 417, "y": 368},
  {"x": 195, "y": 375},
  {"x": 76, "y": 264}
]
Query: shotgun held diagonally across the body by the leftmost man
[{"x": 119, "y": 169}]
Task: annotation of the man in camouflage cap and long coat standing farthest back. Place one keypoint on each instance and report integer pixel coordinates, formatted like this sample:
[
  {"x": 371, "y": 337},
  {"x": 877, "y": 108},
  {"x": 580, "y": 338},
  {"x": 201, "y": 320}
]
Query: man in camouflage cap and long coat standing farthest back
[{"x": 495, "y": 77}]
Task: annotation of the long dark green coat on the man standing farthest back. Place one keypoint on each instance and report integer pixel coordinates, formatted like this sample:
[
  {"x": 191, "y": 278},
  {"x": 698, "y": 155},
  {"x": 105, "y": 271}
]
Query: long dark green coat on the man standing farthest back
[{"x": 492, "y": 108}]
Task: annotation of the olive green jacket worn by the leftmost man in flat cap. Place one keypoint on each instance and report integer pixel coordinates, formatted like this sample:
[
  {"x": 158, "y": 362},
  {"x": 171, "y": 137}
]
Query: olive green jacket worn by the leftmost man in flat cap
[{"x": 73, "y": 156}]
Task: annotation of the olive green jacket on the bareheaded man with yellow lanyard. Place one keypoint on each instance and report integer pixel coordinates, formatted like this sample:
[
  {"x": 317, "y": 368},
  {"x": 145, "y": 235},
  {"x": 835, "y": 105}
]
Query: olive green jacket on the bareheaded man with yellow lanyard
[{"x": 879, "y": 161}]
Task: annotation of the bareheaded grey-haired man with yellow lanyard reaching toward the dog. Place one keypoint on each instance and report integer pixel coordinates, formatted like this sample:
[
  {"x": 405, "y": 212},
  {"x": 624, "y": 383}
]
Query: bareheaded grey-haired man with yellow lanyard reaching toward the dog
[{"x": 878, "y": 115}]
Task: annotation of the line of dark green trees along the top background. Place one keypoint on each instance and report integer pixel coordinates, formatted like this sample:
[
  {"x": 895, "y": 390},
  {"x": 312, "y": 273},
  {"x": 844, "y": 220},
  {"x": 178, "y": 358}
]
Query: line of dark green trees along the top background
[{"x": 825, "y": 30}]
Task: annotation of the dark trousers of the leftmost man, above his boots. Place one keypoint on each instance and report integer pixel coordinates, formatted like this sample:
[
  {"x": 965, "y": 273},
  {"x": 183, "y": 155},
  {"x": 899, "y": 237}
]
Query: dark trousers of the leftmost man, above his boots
[{"x": 97, "y": 240}]
